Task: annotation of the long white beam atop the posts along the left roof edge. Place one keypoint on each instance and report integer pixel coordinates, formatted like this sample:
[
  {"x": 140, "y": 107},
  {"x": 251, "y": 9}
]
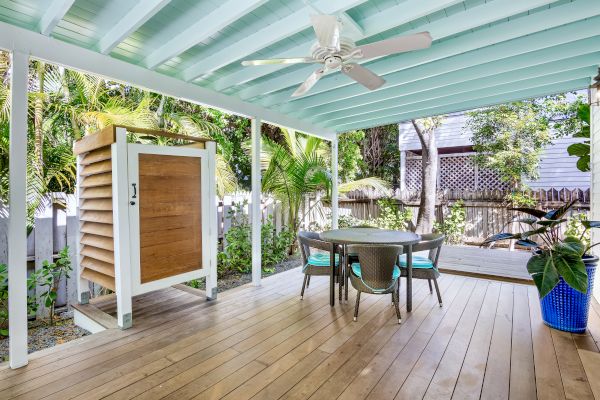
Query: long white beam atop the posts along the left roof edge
[{"x": 75, "y": 57}]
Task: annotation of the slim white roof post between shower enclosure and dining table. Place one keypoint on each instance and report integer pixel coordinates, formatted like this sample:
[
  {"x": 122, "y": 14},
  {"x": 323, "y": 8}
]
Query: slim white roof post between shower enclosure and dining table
[{"x": 256, "y": 214}]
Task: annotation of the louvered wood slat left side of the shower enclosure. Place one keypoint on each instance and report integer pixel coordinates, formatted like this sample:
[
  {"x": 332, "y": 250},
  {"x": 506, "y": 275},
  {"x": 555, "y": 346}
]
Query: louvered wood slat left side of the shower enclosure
[{"x": 95, "y": 204}]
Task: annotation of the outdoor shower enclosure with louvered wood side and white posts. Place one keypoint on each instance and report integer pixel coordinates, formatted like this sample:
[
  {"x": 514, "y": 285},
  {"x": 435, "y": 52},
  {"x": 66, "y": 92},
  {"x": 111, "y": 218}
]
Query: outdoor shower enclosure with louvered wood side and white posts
[{"x": 147, "y": 213}]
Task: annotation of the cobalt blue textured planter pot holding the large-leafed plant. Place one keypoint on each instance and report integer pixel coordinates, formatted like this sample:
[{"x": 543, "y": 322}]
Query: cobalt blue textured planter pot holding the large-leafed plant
[{"x": 566, "y": 309}]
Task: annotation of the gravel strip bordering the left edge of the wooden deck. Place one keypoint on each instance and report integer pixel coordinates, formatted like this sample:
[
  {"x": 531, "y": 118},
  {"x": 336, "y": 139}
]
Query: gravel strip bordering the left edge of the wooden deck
[{"x": 42, "y": 335}]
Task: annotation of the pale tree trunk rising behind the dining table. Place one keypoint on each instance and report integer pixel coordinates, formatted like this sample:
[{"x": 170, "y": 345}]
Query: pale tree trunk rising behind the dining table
[{"x": 429, "y": 168}]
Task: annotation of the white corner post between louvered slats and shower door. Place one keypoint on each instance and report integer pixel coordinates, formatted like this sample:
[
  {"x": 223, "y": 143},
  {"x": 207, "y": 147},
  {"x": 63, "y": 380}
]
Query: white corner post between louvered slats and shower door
[{"x": 120, "y": 186}]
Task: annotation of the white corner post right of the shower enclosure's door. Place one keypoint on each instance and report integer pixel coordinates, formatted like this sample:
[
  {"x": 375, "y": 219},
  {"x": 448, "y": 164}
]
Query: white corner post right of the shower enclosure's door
[{"x": 211, "y": 278}]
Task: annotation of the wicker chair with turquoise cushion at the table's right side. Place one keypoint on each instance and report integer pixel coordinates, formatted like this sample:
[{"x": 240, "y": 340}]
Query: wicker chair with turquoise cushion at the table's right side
[{"x": 426, "y": 267}]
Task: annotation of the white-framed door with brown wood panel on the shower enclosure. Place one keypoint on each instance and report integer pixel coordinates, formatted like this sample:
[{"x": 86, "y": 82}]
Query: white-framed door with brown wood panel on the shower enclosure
[{"x": 166, "y": 209}]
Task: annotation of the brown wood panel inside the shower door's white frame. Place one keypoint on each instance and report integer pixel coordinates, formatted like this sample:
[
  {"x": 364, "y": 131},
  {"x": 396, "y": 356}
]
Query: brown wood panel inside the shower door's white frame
[{"x": 170, "y": 216}]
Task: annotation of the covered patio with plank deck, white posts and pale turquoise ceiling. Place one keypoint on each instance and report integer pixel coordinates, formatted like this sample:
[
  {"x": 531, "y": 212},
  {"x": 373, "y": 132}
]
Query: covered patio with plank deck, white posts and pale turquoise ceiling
[{"x": 261, "y": 341}]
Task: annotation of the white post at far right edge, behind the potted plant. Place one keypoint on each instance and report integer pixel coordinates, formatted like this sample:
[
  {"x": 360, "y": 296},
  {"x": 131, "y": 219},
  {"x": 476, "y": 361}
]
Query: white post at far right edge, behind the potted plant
[{"x": 595, "y": 170}]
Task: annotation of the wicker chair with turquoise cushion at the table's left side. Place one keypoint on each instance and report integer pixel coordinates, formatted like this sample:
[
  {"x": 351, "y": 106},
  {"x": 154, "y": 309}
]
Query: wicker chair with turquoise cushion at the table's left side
[{"x": 317, "y": 262}]
